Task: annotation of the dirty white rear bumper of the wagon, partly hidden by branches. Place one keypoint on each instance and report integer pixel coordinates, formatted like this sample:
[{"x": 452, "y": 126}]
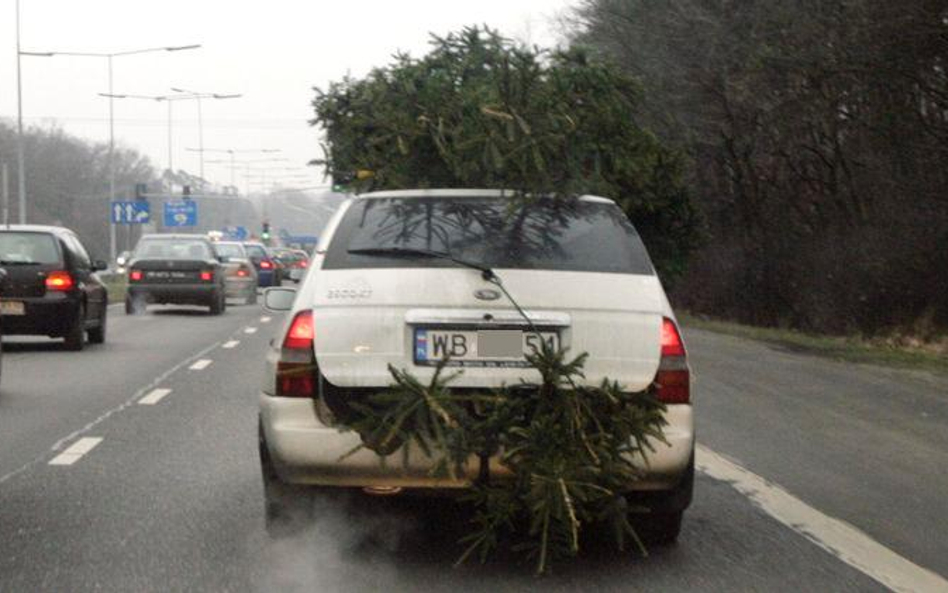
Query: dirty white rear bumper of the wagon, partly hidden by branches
[{"x": 305, "y": 451}]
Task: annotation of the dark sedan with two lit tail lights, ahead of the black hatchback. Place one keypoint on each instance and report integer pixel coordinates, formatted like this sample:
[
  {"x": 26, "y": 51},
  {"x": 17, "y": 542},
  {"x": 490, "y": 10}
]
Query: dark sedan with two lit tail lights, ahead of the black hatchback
[{"x": 175, "y": 269}]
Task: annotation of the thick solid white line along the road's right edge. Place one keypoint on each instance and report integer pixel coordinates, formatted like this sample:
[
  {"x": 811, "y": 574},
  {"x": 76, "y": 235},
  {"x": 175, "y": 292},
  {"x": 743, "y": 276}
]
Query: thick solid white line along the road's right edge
[{"x": 839, "y": 538}]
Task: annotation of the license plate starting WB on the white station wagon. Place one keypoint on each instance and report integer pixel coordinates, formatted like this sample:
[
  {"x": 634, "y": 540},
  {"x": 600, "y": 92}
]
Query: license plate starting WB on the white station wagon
[{"x": 479, "y": 348}]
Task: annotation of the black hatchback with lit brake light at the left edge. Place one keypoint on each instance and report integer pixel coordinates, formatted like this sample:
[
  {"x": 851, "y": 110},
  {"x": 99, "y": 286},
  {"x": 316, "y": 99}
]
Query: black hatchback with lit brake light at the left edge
[{"x": 51, "y": 288}]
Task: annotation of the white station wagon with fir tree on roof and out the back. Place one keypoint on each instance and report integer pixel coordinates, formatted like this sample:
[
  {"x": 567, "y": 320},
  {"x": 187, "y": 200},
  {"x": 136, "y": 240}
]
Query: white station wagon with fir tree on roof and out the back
[{"x": 381, "y": 291}]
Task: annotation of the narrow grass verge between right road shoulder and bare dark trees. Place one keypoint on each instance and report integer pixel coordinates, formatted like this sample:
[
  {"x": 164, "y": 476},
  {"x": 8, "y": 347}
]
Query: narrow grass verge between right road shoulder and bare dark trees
[{"x": 886, "y": 352}]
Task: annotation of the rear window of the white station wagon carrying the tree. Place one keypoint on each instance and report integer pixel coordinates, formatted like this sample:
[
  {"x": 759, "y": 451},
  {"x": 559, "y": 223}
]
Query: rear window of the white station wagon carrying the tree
[{"x": 547, "y": 234}]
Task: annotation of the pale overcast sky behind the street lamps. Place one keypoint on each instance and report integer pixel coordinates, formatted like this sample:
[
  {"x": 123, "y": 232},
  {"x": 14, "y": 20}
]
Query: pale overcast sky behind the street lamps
[{"x": 272, "y": 52}]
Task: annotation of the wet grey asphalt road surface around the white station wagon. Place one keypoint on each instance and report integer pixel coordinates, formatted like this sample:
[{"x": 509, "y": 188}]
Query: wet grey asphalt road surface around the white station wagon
[{"x": 170, "y": 498}]
